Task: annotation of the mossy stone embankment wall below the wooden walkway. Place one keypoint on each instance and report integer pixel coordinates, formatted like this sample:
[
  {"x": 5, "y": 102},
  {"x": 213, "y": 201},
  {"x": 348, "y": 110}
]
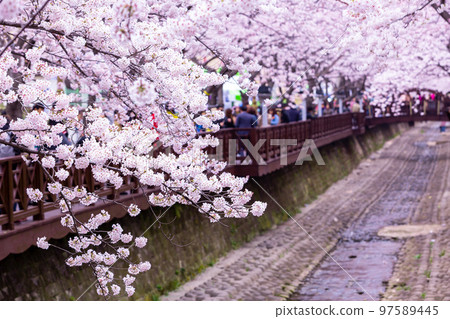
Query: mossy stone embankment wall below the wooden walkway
[{"x": 195, "y": 243}]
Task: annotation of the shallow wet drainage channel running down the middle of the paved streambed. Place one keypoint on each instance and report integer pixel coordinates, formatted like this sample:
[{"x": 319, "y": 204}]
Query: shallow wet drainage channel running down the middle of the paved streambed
[{"x": 368, "y": 259}]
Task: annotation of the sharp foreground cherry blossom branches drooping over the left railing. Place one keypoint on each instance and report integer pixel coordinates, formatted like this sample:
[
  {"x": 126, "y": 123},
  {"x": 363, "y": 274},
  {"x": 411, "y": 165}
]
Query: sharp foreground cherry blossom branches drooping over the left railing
[{"x": 129, "y": 57}]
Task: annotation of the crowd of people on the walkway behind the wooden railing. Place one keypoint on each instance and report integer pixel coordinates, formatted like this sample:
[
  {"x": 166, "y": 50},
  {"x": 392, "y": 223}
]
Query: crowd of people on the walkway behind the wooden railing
[{"x": 250, "y": 116}]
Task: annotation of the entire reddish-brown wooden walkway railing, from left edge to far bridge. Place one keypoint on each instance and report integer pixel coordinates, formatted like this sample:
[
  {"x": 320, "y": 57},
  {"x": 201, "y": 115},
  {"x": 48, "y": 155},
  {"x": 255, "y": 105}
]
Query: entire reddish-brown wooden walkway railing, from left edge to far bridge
[{"x": 16, "y": 175}]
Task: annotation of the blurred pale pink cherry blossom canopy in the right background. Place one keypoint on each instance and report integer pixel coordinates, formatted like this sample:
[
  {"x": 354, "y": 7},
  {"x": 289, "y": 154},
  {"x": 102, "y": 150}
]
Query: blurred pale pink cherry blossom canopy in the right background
[{"x": 395, "y": 44}]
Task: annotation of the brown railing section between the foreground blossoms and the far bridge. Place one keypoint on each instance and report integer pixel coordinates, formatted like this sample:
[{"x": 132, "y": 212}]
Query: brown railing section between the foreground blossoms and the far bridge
[{"x": 235, "y": 143}]
